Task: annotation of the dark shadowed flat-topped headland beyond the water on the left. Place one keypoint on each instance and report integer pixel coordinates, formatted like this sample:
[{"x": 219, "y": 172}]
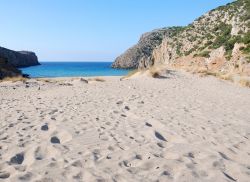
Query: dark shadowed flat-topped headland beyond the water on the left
[{"x": 19, "y": 59}]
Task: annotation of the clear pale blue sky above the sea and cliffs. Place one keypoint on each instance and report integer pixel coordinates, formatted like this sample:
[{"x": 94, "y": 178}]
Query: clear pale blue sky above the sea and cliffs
[{"x": 90, "y": 30}]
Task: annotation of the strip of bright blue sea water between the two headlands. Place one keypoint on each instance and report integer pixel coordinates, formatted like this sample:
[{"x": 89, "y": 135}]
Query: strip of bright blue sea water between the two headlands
[{"x": 73, "y": 69}]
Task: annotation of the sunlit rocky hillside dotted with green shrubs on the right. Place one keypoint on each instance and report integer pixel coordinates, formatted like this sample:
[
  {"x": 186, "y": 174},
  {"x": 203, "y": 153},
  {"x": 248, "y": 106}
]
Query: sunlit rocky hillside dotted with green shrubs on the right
[{"x": 218, "y": 41}]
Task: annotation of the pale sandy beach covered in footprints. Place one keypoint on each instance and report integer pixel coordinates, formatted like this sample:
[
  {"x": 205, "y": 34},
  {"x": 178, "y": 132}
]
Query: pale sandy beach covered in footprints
[{"x": 179, "y": 128}]
